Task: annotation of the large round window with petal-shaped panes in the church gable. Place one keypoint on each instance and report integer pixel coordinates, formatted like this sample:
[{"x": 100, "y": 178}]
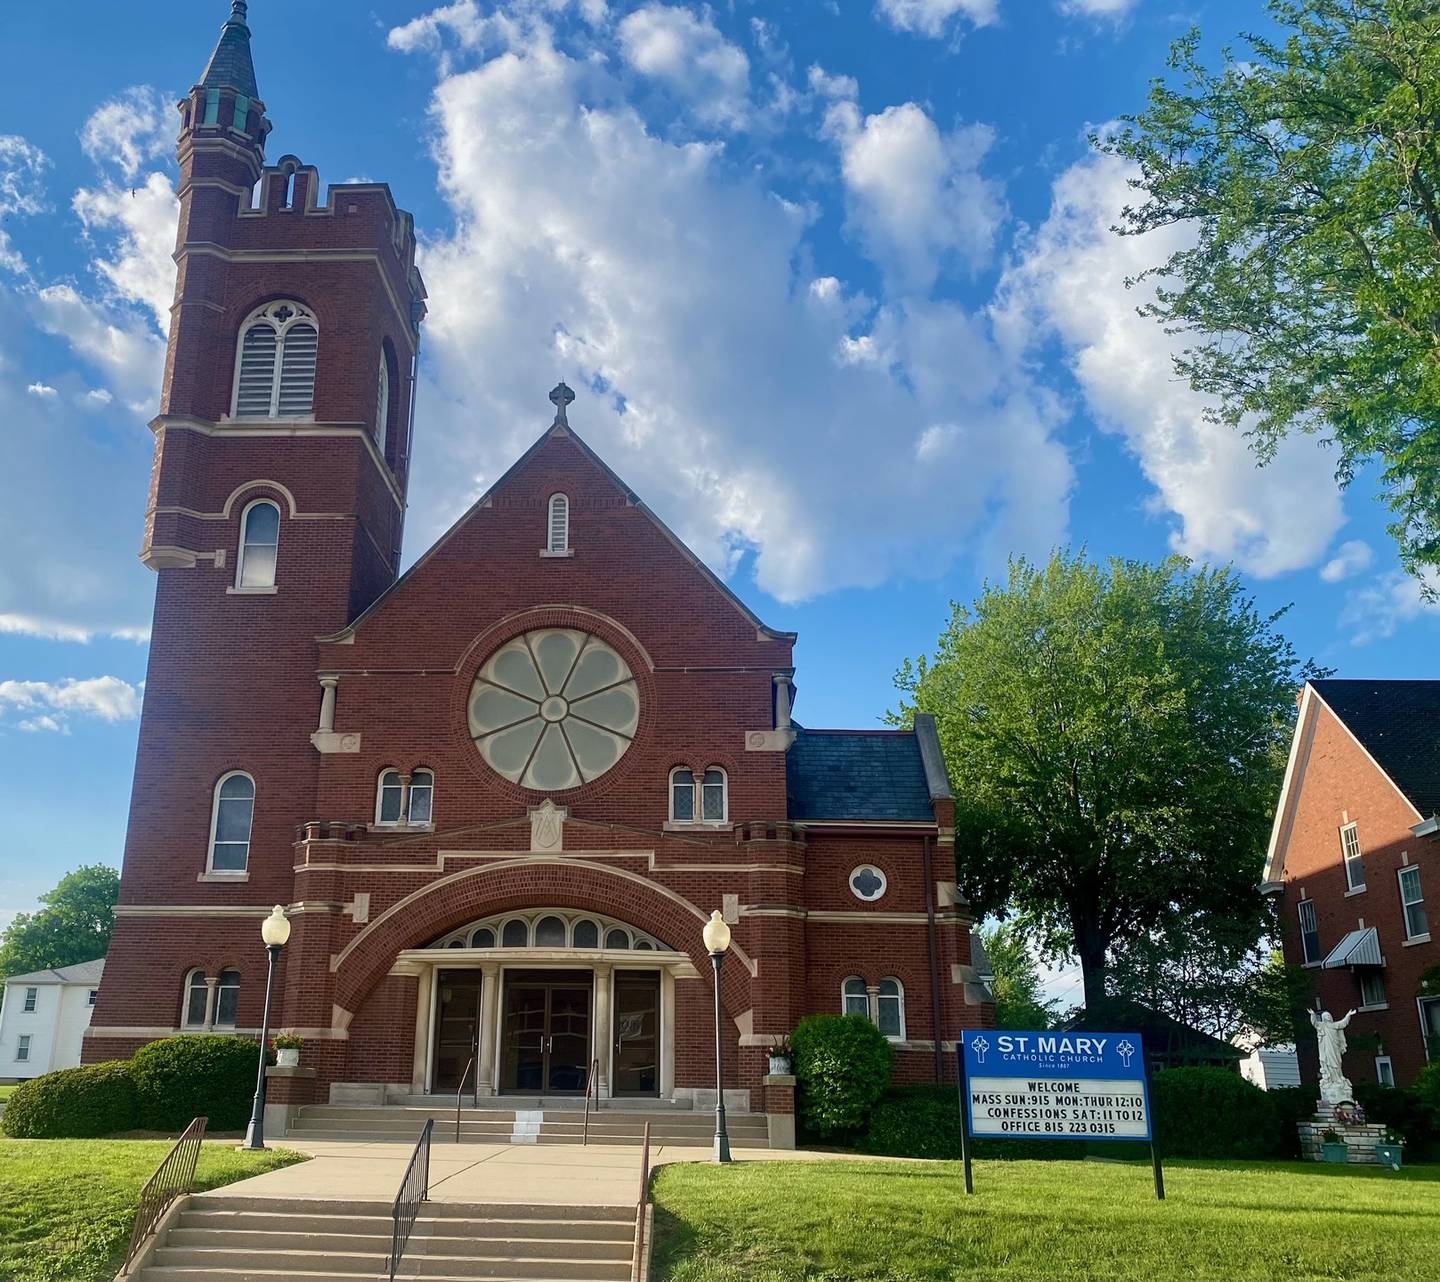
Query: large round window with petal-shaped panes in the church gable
[{"x": 554, "y": 709}]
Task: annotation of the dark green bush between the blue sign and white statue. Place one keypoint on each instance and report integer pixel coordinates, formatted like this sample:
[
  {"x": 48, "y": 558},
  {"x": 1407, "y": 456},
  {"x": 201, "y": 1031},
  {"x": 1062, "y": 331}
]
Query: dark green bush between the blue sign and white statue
[{"x": 1213, "y": 1114}]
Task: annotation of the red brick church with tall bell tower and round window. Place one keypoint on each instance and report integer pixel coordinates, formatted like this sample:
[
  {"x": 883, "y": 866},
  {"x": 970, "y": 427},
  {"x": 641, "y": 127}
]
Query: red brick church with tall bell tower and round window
[{"x": 500, "y": 794}]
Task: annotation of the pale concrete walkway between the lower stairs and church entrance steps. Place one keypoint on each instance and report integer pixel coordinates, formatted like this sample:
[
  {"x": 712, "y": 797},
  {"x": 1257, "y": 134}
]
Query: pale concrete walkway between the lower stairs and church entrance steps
[{"x": 564, "y": 1175}]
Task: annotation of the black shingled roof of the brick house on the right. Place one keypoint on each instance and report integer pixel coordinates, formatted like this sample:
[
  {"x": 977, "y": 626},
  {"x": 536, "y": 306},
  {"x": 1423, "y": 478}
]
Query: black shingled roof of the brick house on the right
[{"x": 1399, "y": 724}]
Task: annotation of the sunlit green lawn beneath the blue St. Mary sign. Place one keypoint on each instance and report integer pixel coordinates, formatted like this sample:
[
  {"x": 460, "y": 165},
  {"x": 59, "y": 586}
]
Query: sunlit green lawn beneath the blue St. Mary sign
[{"x": 1045, "y": 1222}]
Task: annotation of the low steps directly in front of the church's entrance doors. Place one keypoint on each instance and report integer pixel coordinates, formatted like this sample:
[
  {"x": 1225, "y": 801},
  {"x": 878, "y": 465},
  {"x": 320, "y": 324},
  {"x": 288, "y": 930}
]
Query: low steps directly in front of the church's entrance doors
[{"x": 487, "y": 1126}]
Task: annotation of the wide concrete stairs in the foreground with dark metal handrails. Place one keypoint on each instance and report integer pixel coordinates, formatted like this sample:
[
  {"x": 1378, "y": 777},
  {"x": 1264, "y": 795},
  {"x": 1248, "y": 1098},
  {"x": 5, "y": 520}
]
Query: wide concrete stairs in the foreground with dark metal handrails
[{"x": 257, "y": 1240}]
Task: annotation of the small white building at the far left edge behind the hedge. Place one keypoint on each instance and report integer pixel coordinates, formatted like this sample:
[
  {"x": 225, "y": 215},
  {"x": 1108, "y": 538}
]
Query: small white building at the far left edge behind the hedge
[{"x": 45, "y": 1018}]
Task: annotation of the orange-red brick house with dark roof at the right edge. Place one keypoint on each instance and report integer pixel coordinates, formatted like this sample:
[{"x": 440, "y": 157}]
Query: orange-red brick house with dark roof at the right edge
[{"x": 1354, "y": 858}]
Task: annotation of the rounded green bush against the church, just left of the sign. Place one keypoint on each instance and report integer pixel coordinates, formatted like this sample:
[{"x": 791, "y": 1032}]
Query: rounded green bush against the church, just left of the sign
[{"x": 842, "y": 1067}]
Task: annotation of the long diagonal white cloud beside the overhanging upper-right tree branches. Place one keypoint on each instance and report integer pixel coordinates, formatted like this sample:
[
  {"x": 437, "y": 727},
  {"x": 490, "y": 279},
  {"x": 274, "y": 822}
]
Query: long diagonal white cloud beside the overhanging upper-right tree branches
[{"x": 1069, "y": 283}]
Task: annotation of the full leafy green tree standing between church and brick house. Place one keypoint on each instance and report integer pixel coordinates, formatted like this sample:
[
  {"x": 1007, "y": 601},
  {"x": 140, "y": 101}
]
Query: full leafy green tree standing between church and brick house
[{"x": 1117, "y": 738}]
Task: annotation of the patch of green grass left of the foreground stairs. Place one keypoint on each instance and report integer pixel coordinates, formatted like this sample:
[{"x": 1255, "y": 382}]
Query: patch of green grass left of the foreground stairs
[{"x": 67, "y": 1206}]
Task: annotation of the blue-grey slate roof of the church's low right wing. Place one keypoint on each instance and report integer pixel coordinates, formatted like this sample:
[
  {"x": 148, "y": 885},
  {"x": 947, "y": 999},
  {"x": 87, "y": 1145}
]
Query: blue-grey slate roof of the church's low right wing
[{"x": 858, "y": 776}]
